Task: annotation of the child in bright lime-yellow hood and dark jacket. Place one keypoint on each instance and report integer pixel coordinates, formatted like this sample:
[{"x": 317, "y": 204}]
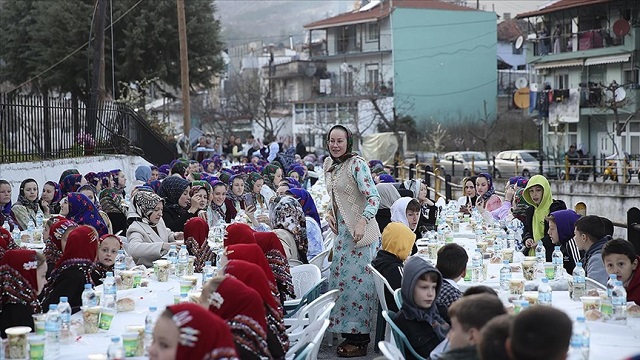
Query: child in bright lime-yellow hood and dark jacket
[{"x": 538, "y": 194}]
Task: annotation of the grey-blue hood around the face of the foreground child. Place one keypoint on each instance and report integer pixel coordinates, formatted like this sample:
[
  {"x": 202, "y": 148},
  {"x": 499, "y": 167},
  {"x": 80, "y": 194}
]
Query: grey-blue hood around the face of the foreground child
[{"x": 415, "y": 267}]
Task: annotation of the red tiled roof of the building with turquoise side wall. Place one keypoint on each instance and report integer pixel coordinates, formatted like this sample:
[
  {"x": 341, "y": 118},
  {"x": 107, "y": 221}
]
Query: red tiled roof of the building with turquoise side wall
[{"x": 383, "y": 10}]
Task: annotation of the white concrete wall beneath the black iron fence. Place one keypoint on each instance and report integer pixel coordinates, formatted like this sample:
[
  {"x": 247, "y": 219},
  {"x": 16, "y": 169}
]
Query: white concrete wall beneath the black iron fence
[{"x": 43, "y": 171}]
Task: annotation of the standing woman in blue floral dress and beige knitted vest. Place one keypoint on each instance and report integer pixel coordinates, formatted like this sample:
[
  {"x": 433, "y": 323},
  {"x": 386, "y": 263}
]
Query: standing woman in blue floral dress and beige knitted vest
[{"x": 351, "y": 215}]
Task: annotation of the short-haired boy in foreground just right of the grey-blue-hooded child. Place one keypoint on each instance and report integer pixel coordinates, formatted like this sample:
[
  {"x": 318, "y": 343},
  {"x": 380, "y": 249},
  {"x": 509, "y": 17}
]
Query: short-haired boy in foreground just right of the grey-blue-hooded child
[{"x": 468, "y": 317}]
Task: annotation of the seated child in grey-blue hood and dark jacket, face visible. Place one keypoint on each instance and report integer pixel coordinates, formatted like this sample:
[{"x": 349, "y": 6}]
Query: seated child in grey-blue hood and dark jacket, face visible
[{"x": 418, "y": 317}]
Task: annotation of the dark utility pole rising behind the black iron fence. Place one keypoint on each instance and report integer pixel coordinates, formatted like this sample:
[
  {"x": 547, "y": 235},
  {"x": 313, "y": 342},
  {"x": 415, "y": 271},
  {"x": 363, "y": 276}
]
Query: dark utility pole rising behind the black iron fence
[{"x": 98, "y": 58}]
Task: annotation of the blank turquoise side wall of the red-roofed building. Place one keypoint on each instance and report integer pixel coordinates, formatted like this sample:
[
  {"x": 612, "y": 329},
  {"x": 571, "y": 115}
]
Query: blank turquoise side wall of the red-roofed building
[{"x": 445, "y": 63}]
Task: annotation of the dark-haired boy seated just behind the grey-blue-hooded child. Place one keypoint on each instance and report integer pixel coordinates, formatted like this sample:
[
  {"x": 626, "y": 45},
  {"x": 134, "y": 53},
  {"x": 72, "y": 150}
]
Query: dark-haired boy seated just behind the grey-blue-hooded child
[{"x": 452, "y": 264}]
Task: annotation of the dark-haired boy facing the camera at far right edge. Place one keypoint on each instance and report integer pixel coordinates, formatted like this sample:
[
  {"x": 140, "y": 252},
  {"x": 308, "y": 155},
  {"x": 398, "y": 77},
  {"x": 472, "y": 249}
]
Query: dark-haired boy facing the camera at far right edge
[{"x": 620, "y": 258}]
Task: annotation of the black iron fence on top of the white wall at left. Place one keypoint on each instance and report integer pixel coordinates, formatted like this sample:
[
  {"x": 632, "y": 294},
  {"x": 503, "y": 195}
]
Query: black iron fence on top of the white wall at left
[{"x": 34, "y": 128}]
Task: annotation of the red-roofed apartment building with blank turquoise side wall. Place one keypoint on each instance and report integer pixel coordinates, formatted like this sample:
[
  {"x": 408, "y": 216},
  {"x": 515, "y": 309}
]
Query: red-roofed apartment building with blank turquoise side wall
[{"x": 427, "y": 59}]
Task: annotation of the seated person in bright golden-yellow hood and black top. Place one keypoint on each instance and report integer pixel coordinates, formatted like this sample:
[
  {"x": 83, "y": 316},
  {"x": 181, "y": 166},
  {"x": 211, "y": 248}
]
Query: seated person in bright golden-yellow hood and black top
[{"x": 397, "y": 241}]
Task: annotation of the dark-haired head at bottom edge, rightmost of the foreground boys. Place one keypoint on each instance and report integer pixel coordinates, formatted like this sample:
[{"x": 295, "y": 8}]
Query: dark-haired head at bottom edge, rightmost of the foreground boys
[{"x": 539, "y": 333}]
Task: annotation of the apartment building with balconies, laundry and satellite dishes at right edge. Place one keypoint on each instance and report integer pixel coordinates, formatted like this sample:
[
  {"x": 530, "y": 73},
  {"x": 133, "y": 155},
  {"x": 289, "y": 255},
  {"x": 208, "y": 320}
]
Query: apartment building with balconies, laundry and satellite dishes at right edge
[{"x": 586, "y": 55}]
